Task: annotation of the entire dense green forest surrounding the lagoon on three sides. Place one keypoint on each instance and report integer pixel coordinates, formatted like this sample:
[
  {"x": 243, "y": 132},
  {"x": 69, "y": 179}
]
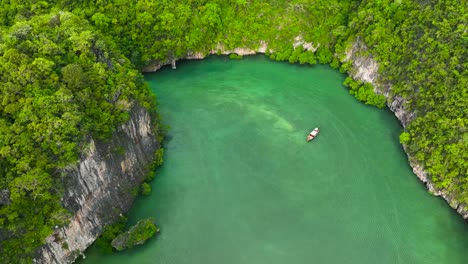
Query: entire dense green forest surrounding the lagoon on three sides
[{"x": 62, "y": 80}]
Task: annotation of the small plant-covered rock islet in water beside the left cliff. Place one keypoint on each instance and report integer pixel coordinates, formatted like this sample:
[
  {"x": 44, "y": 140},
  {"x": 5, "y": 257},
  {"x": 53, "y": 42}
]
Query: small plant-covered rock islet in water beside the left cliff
[{"x": 136, "y": 235}]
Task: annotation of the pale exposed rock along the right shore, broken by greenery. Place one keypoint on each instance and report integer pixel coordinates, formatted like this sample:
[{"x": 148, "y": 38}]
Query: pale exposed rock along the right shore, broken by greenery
[{"x": 365, "y": 68}]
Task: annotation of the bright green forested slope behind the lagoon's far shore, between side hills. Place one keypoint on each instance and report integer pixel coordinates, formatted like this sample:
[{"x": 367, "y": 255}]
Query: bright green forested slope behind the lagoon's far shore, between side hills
[{"x": 160, "y": 30}]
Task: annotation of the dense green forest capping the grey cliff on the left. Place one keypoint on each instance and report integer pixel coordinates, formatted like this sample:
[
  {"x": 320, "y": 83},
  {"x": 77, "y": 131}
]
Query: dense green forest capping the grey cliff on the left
[{"x": 61, "y": 82}]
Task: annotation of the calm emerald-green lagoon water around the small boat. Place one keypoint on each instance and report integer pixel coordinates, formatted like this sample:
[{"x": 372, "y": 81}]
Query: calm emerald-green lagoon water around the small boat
[{"x": 240, "y": 185}]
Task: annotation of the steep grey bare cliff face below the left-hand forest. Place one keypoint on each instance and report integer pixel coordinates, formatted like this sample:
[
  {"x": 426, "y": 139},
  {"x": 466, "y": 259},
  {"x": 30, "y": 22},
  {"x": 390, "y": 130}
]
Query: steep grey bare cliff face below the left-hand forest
[{"x": 99, "y": 188}]
